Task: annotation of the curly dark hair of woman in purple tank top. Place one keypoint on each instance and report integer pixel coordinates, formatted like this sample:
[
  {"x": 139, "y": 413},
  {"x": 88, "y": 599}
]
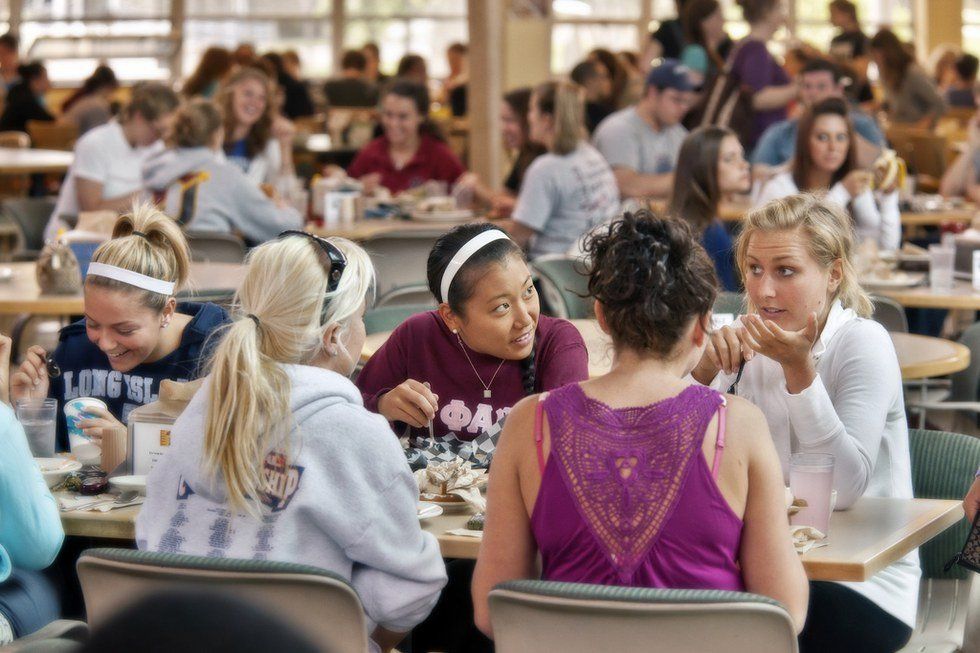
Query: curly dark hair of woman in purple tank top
[{"x": 651, "y": 277}]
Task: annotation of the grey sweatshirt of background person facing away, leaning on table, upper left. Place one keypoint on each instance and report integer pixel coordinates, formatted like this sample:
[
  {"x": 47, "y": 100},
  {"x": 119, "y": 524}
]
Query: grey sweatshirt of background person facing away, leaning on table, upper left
[{"x": 222, "y": 200}]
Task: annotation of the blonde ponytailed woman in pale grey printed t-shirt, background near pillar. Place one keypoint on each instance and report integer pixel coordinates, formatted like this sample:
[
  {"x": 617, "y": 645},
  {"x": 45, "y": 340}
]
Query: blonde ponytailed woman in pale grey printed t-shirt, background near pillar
[{"x": 570, "y": 189}]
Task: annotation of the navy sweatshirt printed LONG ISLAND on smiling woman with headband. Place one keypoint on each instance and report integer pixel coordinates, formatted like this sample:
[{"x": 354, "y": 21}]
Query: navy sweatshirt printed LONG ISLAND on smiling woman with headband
[{"x": 85, "y": 370}]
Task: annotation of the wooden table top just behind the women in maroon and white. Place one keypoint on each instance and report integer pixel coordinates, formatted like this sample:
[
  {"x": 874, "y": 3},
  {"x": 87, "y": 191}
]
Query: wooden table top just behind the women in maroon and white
[{"x": 919, "y": 357}]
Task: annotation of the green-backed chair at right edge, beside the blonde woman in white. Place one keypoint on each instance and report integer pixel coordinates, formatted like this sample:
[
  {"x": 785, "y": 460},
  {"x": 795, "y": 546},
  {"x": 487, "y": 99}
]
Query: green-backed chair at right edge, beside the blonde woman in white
[{"x": 943, "y": 465}]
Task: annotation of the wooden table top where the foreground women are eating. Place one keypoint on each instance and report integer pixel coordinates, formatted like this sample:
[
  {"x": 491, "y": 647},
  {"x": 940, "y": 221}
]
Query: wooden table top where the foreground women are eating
[{"x": 873, "y": 534}]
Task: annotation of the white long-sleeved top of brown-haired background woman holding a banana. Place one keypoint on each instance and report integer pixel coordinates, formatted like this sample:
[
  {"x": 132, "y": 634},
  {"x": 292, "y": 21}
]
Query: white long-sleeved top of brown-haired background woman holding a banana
[{"x": 876, "y": 215}]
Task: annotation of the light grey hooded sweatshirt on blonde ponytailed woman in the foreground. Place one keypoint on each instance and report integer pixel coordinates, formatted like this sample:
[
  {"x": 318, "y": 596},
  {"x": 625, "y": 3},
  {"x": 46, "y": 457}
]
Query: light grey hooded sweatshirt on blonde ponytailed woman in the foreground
[{"x": 339, "y": 496}]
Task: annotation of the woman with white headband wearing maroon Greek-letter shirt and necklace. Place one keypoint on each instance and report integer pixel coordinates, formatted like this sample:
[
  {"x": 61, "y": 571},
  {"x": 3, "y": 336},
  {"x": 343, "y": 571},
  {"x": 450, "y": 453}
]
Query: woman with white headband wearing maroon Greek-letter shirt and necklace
[{"x": 462, "y": 366}]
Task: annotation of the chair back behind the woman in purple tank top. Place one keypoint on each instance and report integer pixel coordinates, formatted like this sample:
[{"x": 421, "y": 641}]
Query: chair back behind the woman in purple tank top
[{"x": 529, "y": 616}]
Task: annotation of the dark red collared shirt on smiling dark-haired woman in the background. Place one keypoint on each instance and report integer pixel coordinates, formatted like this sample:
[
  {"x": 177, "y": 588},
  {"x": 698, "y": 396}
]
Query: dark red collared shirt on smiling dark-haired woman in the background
[{"x": 433, "y": 160}]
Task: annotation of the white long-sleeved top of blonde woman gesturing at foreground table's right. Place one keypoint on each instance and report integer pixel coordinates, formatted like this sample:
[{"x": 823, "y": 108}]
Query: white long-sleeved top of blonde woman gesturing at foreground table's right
[{"x": 855, "y": 410}]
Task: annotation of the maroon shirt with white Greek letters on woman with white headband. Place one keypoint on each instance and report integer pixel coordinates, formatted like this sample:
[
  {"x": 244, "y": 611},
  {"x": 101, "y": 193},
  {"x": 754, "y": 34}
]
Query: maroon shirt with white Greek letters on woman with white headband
[{"x": 424, "y": 349}]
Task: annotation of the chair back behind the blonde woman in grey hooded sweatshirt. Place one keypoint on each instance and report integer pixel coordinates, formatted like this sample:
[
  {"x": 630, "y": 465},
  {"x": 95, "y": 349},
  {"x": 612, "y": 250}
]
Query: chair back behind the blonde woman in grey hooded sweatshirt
[{"x": 318, "y": 603}]
